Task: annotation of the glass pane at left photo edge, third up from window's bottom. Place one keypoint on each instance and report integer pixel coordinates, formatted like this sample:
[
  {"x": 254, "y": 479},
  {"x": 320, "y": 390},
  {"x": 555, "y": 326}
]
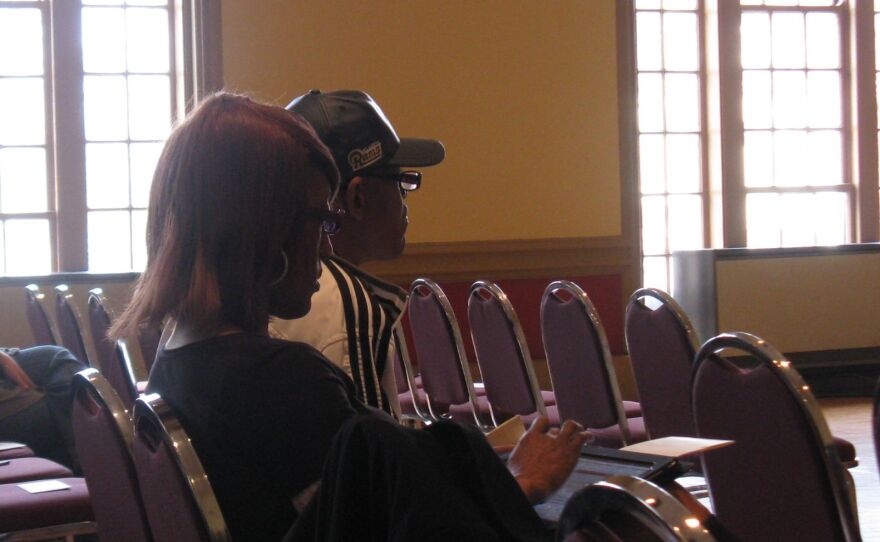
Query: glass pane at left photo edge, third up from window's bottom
[{"x": 22, "y": 111}]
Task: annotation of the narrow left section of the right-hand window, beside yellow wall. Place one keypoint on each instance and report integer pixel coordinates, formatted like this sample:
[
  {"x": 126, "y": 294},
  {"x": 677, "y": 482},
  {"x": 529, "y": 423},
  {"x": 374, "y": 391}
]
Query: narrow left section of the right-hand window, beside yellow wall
[{"x": 670, "y": 80}]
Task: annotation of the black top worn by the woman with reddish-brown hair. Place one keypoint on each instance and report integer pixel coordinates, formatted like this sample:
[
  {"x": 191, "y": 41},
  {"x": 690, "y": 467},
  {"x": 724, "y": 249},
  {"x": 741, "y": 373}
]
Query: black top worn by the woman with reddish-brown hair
[{"x": 261, "y": 414}]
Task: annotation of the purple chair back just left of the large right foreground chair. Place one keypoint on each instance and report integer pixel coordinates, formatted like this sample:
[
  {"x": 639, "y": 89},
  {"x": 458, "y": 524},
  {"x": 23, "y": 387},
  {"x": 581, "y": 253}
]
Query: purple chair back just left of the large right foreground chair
[{"x": 661, "y": 343}]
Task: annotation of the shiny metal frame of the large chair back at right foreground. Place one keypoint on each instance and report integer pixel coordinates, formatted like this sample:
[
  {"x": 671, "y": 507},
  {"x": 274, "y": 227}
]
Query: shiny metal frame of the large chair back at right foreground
[{"x": 782, "y": 369}]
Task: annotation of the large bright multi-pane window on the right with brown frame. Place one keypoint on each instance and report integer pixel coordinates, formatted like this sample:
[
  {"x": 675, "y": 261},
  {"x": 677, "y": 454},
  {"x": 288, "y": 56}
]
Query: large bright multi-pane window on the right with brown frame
[{"x": 747, "y": 132}]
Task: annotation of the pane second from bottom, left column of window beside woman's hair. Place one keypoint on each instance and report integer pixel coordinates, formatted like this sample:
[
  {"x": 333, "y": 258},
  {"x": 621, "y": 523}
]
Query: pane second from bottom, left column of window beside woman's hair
[{"x": 107, "y": 175}]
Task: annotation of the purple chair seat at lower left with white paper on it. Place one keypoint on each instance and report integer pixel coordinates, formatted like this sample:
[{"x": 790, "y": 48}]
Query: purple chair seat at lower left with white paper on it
[{"x": 20, "y": 510}]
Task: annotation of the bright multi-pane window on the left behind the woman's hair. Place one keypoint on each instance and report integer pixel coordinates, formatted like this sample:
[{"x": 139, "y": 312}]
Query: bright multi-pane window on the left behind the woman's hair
[{"x": 88, "y": 93}]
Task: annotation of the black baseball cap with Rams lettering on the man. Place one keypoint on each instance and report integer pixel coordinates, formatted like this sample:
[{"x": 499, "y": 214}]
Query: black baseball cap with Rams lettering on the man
[{"x": 359, "y": 135}]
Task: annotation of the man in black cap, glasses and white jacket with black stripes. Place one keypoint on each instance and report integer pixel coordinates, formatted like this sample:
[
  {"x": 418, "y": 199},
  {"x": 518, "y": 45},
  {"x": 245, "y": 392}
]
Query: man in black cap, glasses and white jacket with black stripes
[{"x": 354, "y": 313}]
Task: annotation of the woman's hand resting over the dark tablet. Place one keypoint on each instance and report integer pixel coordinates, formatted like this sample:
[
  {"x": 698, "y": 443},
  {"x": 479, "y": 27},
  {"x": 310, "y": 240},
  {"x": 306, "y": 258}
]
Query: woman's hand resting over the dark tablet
[{"x": 544, "y": 457}]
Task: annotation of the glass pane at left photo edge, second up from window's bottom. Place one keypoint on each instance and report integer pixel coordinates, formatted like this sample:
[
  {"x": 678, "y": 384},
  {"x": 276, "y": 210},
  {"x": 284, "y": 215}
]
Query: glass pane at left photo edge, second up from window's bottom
[{"x": 23, "y": 180}]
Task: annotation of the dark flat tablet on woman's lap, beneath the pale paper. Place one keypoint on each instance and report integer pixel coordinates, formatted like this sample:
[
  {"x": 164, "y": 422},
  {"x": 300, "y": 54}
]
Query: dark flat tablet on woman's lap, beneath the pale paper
[{"x": 598, "y": 463}]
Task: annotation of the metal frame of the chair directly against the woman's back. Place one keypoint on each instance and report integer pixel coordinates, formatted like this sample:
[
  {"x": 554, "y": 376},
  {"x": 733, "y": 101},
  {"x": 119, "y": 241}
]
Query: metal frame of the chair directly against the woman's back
[{"x": 153, "y": 415}]
